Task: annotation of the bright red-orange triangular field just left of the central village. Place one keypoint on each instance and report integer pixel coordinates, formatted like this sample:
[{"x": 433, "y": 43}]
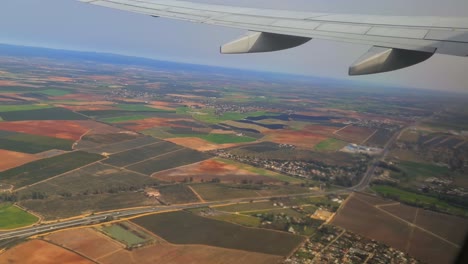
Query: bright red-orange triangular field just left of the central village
[{"x": 210, "y": 169}]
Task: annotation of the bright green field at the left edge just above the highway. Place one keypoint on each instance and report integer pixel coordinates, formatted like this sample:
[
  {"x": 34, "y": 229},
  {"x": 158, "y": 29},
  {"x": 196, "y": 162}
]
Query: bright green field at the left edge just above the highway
[{"x": 13, "y": 217}]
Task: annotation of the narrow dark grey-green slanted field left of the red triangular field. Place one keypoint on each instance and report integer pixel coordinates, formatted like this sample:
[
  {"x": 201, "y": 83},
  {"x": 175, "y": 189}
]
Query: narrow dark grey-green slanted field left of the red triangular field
[{"x": 129, "y": 157}]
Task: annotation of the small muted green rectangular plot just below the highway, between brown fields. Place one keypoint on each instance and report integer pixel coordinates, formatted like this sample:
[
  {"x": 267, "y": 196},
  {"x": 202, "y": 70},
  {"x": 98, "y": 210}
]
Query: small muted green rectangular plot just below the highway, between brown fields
[{"x": 123, "y": 234}]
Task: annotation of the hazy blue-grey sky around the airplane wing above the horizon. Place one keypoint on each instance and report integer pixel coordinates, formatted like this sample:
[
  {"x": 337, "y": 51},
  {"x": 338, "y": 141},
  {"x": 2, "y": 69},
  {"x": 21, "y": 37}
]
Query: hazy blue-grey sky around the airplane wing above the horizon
[{"x": 69, "y": 24}]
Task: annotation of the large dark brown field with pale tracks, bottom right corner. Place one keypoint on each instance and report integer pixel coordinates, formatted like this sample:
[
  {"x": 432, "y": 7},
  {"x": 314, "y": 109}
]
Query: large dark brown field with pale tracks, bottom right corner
[{"x": 403, "y": 228}]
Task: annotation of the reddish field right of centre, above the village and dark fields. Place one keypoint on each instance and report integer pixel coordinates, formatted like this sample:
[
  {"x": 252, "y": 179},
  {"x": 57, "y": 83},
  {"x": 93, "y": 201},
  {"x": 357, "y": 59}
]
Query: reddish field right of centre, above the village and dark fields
[{"x": 304, "y": 139}]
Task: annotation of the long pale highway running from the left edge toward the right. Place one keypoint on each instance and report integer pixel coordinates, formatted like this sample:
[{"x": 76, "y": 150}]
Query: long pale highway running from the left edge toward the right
[{"x": 92, "y": 219}]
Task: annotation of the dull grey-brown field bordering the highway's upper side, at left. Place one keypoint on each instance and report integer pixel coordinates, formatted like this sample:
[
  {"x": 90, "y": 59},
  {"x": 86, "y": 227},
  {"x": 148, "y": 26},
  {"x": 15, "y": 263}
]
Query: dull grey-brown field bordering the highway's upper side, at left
[{"x": 58, "y": 207}]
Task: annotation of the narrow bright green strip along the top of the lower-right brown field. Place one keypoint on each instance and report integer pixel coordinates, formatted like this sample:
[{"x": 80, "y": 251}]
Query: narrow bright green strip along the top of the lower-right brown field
[{"x": 417, "y": 199}]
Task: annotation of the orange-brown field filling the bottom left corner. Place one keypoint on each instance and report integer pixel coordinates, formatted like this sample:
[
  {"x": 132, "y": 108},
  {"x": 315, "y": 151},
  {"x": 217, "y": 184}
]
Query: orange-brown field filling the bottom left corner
[{"x": 41, "y": 252}]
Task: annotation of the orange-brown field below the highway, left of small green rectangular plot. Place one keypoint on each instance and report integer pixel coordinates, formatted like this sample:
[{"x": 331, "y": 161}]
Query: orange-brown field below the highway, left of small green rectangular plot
[{"x": 85, "y": 241}]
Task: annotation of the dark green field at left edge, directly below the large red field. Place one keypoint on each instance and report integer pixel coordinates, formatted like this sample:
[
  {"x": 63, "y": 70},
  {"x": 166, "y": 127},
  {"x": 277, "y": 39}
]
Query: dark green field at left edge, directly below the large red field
[{"x": 32, "y": 144}]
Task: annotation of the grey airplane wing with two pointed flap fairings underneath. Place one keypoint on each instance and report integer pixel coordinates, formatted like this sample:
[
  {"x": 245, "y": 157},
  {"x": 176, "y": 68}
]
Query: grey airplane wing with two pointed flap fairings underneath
[{"x": 397, "y": 41}]
